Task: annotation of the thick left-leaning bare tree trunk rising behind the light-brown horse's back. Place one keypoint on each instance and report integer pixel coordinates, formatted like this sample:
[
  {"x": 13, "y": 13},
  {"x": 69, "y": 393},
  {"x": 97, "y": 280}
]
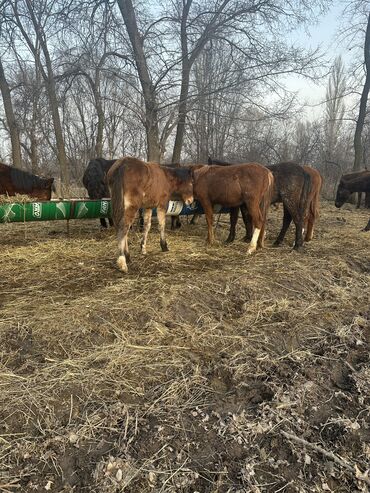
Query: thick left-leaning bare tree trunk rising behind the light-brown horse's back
[{"x": 149, "y": 93}]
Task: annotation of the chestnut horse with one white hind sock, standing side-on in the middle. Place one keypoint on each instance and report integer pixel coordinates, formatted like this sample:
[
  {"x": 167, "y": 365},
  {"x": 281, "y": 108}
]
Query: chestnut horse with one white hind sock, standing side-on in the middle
[{"x": 248, "y": 184}]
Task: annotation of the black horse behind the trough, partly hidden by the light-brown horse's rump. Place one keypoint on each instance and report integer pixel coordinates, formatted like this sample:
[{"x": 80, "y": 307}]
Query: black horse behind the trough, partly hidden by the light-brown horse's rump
[{"x": 94, "y": 180}]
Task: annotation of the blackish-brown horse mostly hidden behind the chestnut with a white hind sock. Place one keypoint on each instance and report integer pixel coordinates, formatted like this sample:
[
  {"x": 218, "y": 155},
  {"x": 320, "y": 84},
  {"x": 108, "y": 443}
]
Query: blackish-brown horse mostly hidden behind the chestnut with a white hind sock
[{"x": 292, "y": 185}]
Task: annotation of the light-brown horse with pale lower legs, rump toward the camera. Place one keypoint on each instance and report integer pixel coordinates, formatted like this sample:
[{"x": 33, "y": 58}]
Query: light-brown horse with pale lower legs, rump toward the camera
[{"x": 134, "y": 184}]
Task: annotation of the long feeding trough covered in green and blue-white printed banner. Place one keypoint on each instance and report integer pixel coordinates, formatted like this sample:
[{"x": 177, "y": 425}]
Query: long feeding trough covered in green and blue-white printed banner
[{"x": 79, "y": 209}]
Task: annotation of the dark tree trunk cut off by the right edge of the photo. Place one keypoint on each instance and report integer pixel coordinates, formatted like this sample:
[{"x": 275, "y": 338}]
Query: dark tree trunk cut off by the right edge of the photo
[{"x": 363, "y": 102}]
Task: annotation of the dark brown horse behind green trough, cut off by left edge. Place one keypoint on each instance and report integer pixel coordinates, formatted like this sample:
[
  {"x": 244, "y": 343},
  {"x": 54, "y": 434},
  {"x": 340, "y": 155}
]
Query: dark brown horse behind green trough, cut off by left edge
[{"x": 13, "y": 180}]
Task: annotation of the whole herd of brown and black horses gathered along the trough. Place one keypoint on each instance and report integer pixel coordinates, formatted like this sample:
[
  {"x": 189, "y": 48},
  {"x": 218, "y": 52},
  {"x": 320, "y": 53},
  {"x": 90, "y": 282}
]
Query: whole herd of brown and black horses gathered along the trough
[{"x": 136, "y": 185}]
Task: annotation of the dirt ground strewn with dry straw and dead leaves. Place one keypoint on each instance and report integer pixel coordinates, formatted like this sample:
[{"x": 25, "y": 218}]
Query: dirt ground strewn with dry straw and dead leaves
[{"x": 202, "y": 370}]
